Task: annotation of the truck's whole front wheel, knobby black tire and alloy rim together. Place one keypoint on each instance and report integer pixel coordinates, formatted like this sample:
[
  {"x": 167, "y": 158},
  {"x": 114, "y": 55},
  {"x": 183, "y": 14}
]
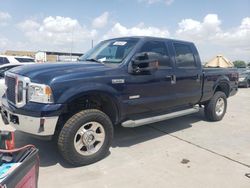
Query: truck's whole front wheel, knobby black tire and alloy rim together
[{"x": 86, "y": 137}]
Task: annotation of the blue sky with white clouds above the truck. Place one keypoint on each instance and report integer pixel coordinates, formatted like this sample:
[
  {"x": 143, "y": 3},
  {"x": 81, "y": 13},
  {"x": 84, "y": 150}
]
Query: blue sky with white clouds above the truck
[{"x": 217, "y": 27}]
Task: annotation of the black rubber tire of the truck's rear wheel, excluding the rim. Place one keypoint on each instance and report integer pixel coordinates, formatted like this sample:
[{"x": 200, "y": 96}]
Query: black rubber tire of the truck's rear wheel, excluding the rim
[{"x": 210, "y": 107}]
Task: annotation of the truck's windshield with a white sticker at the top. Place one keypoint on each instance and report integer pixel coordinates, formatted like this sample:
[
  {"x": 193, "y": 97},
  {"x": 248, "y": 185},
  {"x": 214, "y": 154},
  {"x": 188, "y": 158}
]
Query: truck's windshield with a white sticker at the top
[{"x": 110, "y": 51}]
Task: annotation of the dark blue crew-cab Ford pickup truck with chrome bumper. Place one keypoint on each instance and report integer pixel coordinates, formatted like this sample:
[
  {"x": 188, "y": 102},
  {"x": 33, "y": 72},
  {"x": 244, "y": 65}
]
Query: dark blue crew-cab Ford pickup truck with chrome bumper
[{"x": 128, "y": 81}]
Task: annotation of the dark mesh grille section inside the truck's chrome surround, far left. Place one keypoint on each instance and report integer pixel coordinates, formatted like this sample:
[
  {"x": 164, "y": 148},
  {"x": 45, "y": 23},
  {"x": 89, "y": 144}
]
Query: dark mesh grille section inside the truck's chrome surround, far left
[{"x": 11, "y": 89}]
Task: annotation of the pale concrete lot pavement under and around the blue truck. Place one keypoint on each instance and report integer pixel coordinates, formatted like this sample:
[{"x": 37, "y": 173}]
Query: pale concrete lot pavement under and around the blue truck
[{"x": 182, "y": 152}]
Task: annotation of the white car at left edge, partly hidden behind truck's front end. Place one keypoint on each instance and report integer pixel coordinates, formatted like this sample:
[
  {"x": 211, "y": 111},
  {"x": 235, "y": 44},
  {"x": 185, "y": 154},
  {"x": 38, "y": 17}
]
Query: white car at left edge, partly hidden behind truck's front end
[{"x": 3, "y": 69}]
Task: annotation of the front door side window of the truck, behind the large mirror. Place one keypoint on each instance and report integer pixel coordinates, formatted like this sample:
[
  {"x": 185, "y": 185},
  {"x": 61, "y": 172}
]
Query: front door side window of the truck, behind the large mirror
[{"x": 160, "y": 49}]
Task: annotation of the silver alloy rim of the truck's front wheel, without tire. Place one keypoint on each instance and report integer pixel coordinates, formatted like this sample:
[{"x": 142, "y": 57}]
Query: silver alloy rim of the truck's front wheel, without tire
[{"x": 89, "y": 138}]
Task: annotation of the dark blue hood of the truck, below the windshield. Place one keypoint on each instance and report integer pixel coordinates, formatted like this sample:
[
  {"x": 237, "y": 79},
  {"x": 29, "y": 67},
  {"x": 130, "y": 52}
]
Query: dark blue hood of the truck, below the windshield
[{"x": 44, "y": 73}]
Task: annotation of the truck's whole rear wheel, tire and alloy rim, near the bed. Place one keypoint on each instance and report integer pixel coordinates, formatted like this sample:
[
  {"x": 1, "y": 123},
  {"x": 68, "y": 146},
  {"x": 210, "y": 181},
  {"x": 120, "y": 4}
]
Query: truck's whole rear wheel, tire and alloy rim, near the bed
[{"x": 216, "y": 108}]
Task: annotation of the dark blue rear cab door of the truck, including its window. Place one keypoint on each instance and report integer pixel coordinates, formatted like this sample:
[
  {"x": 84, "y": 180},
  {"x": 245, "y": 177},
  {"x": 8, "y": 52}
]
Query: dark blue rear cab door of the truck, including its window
[{"x": 188, "y": 73}]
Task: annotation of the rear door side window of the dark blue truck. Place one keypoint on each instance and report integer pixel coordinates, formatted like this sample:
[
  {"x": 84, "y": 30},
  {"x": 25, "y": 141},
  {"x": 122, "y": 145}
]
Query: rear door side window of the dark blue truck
[{"x": 184, "y": 56}]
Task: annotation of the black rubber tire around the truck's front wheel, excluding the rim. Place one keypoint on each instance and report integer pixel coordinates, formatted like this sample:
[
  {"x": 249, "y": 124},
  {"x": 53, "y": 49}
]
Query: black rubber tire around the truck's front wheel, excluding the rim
[{"x": 69, "y": 130}]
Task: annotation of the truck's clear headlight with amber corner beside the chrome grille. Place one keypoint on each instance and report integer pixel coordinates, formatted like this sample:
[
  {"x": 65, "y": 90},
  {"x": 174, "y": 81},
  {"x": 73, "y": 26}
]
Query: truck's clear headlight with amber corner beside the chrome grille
[{"x": 40, "y": 93}]
